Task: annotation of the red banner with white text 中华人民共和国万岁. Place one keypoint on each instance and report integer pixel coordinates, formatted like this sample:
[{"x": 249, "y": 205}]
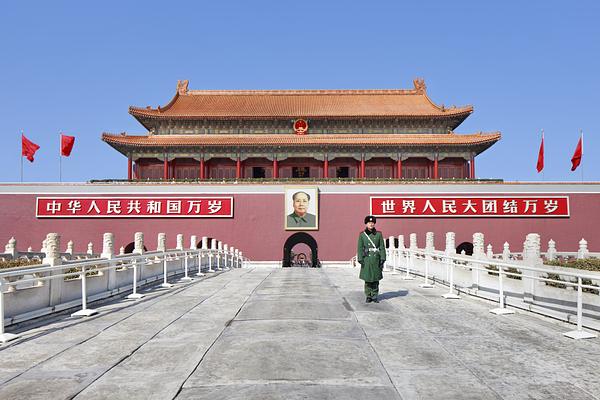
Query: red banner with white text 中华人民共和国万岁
[{"x": 134, "y": 207}]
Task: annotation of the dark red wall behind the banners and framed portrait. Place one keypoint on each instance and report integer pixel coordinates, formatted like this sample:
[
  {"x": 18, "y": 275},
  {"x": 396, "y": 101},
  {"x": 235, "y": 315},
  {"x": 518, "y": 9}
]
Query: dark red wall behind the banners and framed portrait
[{"x": 257, "y": 226}]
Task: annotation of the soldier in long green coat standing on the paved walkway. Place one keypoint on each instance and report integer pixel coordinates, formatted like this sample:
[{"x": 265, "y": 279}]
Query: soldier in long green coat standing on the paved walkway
[{"x": 371, "y": 256}]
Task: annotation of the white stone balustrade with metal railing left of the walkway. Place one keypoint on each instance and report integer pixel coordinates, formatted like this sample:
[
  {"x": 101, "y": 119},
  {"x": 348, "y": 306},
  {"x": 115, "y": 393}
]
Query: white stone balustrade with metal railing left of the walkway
[{"x": 60, "y": 283}]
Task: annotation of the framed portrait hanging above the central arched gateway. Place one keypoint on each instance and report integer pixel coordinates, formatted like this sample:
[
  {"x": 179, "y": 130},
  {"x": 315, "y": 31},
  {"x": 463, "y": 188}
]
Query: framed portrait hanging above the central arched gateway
[{"x": 312, "y": 210}]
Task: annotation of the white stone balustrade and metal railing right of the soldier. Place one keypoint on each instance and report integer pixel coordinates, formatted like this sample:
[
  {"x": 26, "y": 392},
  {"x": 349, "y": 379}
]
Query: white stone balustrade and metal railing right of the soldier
[{"x": 524, "y": 282}]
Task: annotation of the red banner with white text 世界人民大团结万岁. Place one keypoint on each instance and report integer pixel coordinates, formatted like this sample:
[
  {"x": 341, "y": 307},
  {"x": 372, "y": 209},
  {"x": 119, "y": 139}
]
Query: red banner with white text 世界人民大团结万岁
[{"x": 462, "y": 206}]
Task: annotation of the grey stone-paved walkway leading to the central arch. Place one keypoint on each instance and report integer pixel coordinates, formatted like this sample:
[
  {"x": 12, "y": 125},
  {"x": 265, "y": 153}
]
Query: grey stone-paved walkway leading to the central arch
[{"x": 299, "y": 334}]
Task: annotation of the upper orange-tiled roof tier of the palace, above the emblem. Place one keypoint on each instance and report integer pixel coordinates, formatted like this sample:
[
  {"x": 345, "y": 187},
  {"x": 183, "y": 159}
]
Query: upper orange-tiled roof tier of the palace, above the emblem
[{"x": 271, "y": 104}]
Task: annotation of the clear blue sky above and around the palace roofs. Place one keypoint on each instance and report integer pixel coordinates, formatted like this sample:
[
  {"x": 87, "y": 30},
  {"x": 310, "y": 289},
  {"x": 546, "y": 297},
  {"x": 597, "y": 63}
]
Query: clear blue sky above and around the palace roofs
[{"x": 77, "y": 66}]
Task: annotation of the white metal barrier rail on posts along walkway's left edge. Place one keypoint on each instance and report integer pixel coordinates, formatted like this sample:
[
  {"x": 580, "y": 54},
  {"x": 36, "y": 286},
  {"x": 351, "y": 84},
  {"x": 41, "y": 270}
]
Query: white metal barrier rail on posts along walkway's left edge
[{"x": 37, "y": 275}]
